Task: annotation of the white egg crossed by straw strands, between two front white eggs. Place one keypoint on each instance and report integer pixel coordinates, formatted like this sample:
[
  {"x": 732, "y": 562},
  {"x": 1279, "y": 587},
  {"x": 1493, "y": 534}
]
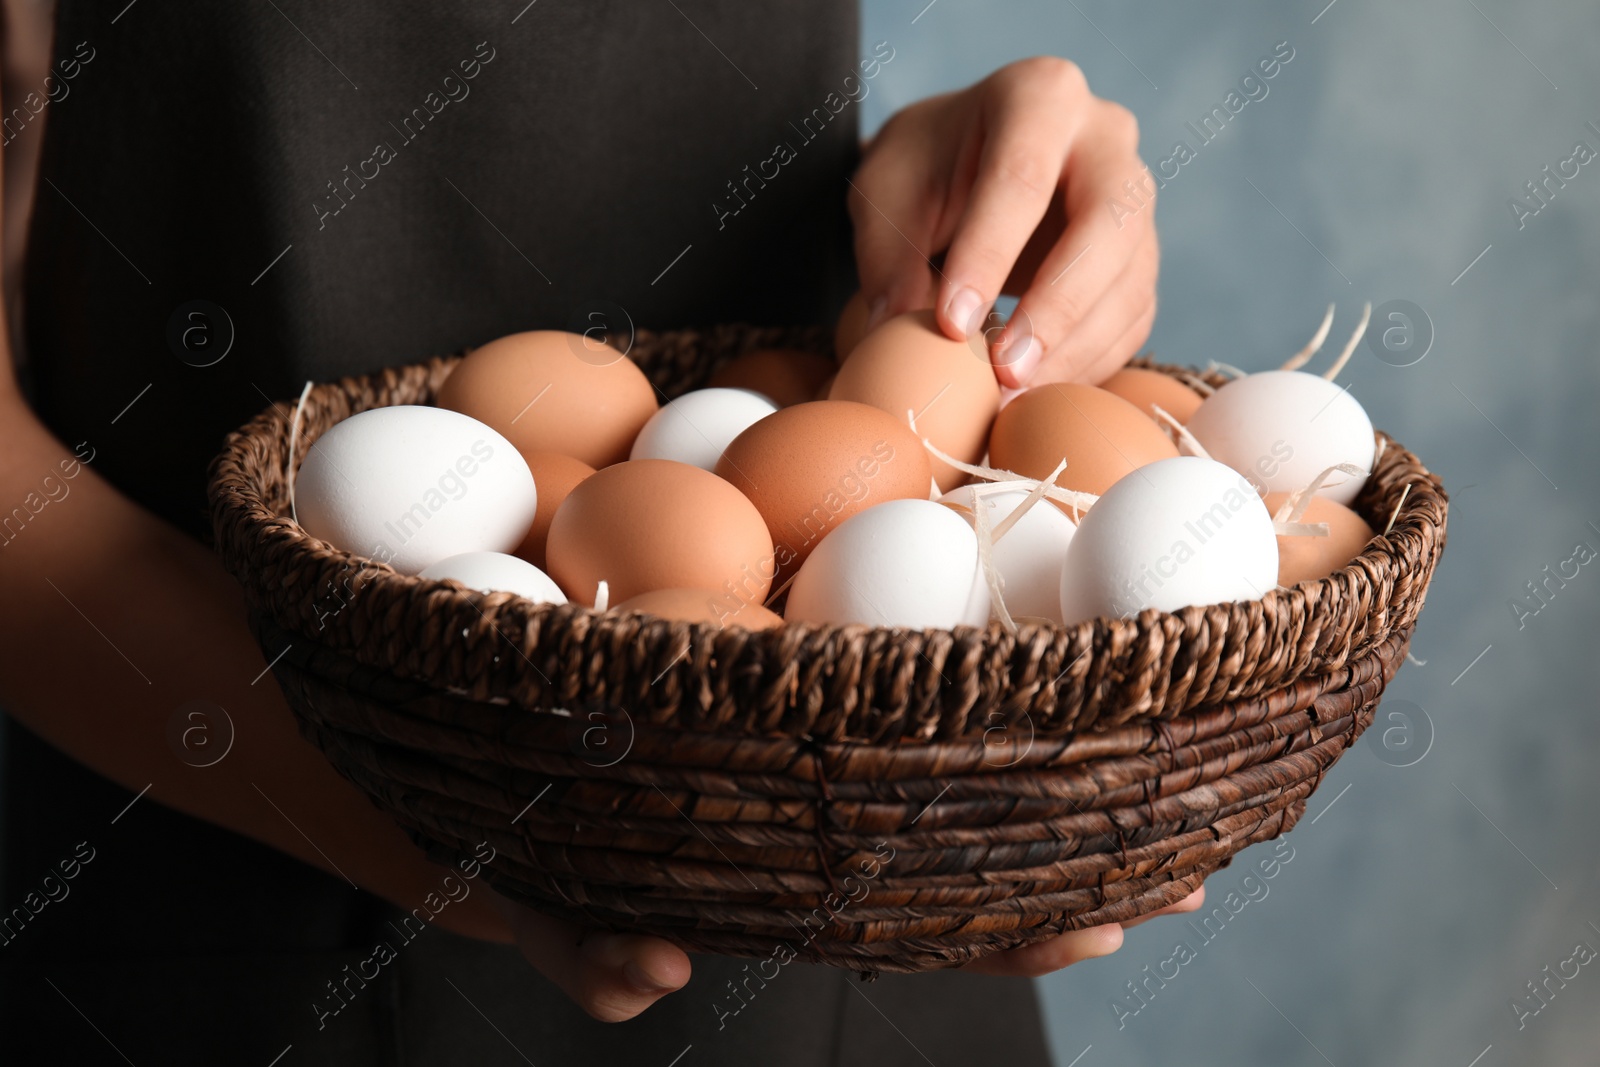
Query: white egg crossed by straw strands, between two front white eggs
[{"x": 1031, "y": 554}]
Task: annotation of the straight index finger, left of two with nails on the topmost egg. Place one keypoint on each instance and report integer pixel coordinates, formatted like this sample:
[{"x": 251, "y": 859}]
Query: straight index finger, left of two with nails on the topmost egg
[{"x": 1030, "y": 113}]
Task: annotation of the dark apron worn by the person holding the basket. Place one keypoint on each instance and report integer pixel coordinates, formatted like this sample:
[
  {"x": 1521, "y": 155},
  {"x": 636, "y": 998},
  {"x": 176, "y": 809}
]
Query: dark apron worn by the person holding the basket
[{"x": 238, "y": 198}]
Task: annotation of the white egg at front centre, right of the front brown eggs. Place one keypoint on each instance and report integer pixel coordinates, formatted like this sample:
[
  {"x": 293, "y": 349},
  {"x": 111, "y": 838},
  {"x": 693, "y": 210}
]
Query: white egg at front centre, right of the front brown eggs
[{"x": 910, "y": 564}]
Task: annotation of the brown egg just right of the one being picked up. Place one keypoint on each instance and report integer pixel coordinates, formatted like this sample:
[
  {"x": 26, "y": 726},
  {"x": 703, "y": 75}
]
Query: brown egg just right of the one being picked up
[{"x": 1102, "y": 438}]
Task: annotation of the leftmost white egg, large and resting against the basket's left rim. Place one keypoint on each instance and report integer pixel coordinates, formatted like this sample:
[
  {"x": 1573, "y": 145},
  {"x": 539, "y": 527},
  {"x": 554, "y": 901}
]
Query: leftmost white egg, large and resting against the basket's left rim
[{"x": 412, "y": 486}]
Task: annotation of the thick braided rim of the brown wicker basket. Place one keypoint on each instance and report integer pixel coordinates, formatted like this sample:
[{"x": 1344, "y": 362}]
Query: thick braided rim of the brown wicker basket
[{"x": 1273, "y": 629}]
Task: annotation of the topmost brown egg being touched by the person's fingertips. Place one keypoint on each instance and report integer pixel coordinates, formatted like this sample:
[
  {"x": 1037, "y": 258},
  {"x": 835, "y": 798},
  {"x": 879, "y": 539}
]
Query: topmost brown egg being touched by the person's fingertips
[{"x": 910, "y": 366}]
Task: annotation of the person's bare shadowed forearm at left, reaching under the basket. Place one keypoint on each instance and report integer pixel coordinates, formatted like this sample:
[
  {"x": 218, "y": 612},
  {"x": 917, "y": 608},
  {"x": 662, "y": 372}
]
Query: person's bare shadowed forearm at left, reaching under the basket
[{"x": 114, "y": 620}]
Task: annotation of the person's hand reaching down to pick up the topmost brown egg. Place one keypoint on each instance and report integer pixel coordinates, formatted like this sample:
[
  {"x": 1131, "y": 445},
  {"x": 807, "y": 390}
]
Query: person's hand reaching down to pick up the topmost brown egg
[{"x": 1015, "y": 182}]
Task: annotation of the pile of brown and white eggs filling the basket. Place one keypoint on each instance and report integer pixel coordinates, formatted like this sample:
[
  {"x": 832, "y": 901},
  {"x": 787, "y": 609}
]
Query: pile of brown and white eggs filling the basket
[{"x": 890, "y": 489}]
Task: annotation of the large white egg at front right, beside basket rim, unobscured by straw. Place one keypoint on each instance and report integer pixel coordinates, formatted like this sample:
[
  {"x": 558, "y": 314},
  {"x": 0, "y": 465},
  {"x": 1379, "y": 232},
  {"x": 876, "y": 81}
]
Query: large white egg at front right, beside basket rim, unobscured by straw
[{"x": 1174, "y": 533}]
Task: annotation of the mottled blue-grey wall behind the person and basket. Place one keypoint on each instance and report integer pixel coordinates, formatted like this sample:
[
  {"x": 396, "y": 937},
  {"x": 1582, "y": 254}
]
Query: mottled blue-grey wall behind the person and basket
[{"x": 1378, "y": 167}]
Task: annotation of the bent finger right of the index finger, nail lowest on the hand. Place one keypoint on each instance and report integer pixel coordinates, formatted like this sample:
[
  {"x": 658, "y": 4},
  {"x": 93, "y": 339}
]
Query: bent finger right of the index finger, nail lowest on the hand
[{"x": 1094, "y": 250}]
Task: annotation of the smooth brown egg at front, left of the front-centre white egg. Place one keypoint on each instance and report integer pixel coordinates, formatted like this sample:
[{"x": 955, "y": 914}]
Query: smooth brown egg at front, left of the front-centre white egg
[{"x": 657, "y": 524}]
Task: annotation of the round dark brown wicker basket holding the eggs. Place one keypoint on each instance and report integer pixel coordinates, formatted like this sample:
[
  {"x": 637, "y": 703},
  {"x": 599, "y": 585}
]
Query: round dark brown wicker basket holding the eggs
[{"x": 874, "y": 799}]
